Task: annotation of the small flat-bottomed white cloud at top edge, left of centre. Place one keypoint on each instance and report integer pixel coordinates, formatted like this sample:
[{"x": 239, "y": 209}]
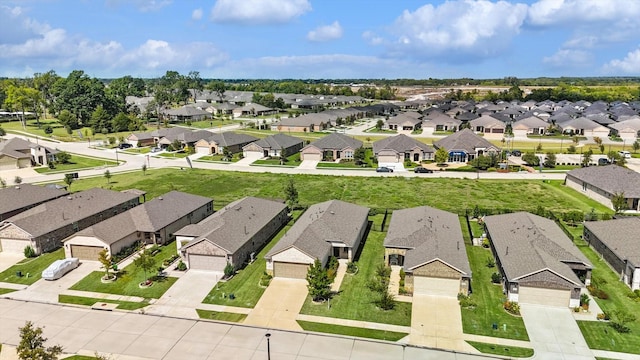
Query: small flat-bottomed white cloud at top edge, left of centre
[{"x": 259, "y": 11}]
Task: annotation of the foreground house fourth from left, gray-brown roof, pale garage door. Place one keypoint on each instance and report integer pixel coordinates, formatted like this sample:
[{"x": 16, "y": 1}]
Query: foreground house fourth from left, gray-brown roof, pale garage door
[{"x": 233, "y": 235}]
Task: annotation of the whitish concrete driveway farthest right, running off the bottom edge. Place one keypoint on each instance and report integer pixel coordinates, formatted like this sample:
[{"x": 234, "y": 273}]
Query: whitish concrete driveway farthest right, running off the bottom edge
[{"x": 554, "y": 333}]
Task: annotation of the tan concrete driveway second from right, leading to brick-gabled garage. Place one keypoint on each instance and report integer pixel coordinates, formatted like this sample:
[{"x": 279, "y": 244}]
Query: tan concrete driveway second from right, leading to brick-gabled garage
[{"x": 436, "y": 322}]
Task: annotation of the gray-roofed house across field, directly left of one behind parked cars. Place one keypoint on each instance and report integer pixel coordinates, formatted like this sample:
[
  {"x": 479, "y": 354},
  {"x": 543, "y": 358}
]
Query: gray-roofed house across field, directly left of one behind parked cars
[{"x": 331, "y": 147}]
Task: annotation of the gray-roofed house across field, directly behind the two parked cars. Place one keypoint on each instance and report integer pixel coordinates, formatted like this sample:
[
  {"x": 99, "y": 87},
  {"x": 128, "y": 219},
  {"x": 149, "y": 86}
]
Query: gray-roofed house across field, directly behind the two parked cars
[{"x": 397, "y": 149}]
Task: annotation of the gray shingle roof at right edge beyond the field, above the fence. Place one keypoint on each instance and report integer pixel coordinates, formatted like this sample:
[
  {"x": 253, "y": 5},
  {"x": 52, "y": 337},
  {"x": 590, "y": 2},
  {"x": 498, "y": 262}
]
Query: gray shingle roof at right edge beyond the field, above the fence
[{"x": 612, "y": 179}]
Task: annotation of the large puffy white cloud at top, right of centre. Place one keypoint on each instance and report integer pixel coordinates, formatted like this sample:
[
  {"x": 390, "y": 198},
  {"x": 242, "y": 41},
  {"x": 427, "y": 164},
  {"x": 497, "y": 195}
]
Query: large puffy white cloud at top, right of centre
[{"x": 461, "y": 28}]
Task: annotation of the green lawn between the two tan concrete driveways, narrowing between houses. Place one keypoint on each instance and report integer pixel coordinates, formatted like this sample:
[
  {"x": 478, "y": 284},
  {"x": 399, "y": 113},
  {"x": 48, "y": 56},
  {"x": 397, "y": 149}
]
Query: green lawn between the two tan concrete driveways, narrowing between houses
[{"x": 355, "y": 300}]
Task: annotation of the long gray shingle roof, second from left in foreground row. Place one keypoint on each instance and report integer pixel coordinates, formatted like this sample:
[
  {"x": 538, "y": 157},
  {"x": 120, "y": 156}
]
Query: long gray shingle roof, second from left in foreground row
[{"x": 54, "y": 214}]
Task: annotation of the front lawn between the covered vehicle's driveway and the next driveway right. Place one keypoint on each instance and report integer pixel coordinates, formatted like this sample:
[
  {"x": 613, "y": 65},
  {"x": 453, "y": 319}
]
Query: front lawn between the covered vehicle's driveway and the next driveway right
[{"x": 129, "y": 278}]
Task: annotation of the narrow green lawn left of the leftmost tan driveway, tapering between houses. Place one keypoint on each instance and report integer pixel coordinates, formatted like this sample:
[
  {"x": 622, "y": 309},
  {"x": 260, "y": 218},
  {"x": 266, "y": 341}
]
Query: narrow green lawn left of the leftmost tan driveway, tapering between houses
[{"x": 244, "y": 285}]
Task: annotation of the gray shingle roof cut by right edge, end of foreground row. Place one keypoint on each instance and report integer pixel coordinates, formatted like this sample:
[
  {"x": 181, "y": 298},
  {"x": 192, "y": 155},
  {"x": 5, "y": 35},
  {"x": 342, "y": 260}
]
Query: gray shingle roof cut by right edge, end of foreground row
[{"x": 621, "y": 236}]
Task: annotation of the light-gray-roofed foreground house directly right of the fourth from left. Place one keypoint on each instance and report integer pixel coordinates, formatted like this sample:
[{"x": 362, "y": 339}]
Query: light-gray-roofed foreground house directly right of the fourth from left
[{"x": 331, "y": 228}]
